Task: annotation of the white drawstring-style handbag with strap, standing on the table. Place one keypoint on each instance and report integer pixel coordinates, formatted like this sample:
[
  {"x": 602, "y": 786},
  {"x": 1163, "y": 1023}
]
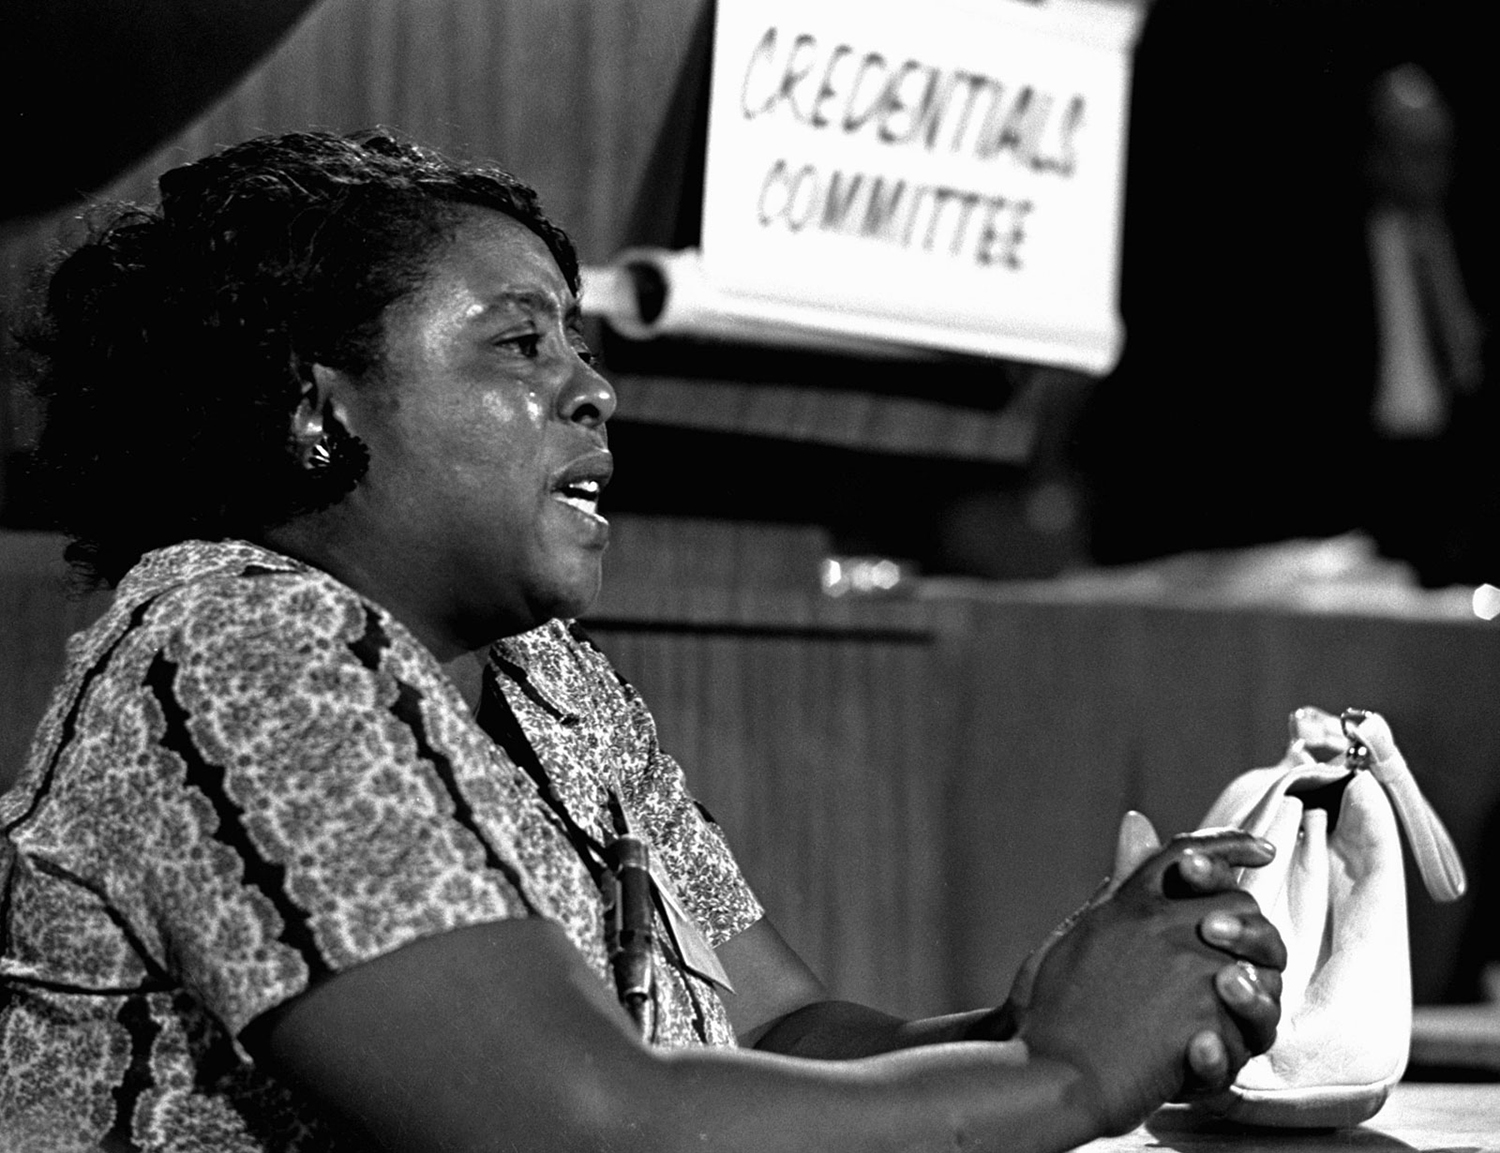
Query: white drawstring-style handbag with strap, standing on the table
[{"x": 1337, "y": 893}]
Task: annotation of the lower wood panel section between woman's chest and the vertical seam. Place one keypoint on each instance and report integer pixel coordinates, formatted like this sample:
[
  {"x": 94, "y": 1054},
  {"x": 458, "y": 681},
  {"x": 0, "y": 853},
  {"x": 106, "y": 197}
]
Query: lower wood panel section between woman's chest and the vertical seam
[{"x": 821, "y": 756}]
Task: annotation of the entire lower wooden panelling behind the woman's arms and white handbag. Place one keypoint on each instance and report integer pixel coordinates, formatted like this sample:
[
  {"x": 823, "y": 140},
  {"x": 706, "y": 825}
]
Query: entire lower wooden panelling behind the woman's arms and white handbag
[{"x": 922, "y": 789}]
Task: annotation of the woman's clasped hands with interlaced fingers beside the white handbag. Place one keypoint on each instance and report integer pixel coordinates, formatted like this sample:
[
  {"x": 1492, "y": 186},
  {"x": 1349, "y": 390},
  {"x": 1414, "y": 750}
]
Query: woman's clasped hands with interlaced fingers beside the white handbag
[{"x": 1166, "y": 983}]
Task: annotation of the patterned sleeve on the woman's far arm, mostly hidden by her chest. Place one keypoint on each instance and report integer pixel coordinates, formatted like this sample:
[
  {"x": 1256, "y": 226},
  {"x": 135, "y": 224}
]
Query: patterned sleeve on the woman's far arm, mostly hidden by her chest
[{"x": 689, "y": 843}]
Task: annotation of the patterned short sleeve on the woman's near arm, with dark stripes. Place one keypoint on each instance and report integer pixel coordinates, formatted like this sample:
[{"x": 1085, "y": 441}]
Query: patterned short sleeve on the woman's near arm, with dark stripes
[{"x": 314, "y": 807}]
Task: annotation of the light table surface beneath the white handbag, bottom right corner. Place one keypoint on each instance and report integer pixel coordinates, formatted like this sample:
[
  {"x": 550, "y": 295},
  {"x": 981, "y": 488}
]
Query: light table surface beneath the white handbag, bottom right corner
[{"x": 1424, "y": 1118}]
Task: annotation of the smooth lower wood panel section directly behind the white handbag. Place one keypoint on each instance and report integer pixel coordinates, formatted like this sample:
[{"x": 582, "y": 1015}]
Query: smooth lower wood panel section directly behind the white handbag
[{"x": 1075, "y": 713}]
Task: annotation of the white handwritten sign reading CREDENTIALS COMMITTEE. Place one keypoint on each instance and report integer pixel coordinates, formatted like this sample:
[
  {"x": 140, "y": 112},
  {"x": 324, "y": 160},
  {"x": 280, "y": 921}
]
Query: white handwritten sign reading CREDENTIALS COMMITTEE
[{"x": 943, "y": 173}]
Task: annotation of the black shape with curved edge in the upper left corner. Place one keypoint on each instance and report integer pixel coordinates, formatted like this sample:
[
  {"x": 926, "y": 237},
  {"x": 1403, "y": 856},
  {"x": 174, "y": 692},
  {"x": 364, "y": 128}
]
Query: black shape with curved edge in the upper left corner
[{"x": 86, "y": 92}]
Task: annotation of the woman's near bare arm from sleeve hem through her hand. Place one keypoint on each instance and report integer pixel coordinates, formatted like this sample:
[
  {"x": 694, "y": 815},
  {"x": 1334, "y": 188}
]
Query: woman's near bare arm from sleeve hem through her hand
[{"x": 499, "y": 1037}]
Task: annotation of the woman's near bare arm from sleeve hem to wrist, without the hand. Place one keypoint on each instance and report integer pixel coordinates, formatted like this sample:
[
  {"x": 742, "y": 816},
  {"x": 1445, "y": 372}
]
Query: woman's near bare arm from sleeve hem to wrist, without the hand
[{"x": 500, "y": 1038}]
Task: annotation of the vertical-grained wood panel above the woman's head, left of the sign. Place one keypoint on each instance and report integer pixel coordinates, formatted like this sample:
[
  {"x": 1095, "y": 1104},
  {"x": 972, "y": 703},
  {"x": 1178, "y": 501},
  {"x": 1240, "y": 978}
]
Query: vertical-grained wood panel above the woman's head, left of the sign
[{"x": 571, "y": 95}]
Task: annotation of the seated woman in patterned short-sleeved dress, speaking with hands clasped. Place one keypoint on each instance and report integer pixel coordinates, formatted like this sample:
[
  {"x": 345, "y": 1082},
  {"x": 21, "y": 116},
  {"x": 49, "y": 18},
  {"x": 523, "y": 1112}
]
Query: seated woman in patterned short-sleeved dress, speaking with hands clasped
[{"x": 329, "y": 834}]
